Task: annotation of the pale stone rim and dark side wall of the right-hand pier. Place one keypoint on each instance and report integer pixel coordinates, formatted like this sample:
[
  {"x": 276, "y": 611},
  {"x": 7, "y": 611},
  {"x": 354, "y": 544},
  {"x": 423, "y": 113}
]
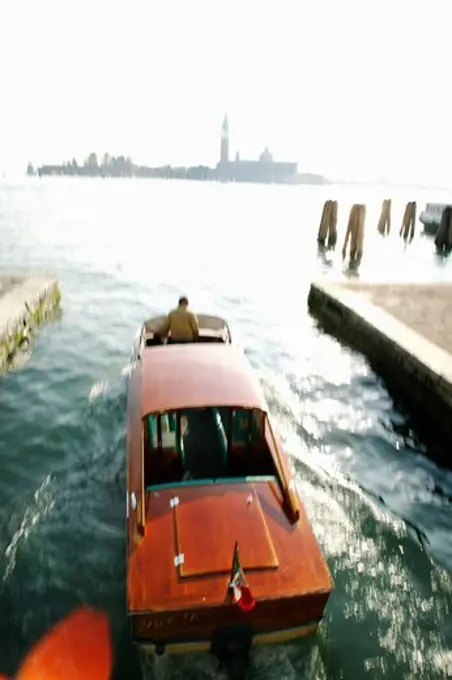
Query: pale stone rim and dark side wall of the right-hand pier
[{"x": 418, "y": 369}]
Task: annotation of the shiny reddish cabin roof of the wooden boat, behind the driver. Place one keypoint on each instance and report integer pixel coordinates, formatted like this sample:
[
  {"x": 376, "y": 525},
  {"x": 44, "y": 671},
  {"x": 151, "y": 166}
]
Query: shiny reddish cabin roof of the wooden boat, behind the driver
[{"x": 197, "y": 375}]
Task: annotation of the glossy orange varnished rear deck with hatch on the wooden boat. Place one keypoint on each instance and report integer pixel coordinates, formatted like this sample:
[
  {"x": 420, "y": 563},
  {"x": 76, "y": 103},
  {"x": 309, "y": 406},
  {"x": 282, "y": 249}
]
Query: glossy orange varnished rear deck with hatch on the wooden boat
[{"x": 215, "y": 516}]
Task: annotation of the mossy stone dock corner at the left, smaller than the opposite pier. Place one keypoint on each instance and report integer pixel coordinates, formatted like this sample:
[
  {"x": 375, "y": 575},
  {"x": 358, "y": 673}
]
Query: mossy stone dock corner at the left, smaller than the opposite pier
[{"x": 26, "y": 301}]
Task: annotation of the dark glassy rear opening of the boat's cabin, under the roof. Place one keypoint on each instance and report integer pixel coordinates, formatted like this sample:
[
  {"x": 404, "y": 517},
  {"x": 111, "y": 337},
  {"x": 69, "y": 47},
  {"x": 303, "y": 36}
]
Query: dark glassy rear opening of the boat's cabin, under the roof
[{"x": 206, "y": 444}]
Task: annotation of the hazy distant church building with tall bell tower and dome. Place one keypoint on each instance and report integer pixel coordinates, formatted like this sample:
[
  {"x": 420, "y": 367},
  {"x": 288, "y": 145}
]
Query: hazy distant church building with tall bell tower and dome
[{"x": 264, "y": 170}]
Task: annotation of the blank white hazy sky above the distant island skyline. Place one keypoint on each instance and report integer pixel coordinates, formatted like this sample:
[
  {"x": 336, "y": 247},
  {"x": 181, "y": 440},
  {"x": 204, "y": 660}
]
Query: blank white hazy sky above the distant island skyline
[{"x": 348, "y": 88}]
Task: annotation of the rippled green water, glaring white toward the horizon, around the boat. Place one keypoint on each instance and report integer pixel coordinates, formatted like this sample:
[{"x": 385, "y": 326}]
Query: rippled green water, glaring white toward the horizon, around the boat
[{"x": 380, "y": 506}]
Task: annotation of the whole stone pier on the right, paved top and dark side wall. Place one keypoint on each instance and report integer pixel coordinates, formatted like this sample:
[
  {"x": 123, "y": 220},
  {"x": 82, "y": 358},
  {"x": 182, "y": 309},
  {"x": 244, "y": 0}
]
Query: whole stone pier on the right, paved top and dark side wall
[{"x": 405, "y": 330}]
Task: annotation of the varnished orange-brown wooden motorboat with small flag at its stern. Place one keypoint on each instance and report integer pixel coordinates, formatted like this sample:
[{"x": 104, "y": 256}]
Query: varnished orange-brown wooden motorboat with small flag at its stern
[{"x": 220, "y": 551}]
